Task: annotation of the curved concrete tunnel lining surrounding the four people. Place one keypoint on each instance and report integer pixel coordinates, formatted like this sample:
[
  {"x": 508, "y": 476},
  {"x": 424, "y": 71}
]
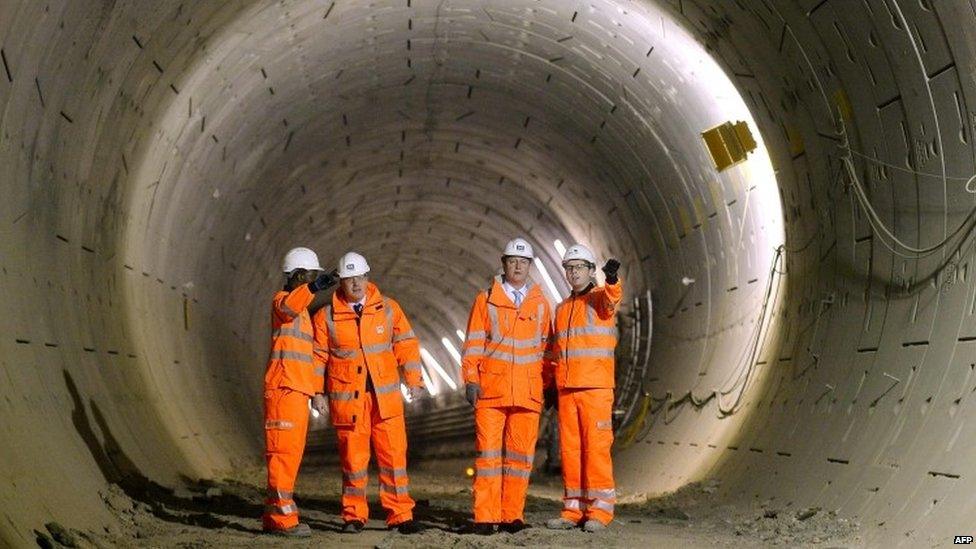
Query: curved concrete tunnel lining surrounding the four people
[{"x": 794, "y": 325}]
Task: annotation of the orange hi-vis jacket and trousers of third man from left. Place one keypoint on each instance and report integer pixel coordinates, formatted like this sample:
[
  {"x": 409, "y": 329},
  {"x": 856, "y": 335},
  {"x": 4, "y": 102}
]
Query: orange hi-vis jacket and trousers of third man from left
[{"x": 503, "y": 354}]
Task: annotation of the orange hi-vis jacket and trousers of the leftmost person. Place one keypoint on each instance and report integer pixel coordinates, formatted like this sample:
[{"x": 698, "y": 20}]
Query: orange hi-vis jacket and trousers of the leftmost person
[{"x": 290, "y": 379}]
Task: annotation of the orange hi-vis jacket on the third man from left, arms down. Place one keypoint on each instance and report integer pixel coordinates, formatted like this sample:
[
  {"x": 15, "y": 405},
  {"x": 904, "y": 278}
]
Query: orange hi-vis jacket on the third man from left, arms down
[{"x": 504, "y": 345}]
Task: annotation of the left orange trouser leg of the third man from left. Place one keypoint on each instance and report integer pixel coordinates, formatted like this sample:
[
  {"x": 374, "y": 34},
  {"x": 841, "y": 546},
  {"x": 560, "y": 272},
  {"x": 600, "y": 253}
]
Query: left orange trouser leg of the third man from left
[{"x": 487, "y": 489}]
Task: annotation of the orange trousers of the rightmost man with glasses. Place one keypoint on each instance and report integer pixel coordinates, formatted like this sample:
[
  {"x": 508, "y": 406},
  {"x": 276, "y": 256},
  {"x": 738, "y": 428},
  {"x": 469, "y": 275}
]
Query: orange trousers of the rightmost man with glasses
[{"x": 585, "y": 436}]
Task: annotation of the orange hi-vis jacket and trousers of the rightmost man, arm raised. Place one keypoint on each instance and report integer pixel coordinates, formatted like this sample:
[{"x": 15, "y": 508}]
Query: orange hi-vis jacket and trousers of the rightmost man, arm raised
[{"x": 583, "y": 343}]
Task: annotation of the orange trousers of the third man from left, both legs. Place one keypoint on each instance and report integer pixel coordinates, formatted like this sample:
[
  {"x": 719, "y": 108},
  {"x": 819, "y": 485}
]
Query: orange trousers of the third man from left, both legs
[{"x": 502, "y": 472}]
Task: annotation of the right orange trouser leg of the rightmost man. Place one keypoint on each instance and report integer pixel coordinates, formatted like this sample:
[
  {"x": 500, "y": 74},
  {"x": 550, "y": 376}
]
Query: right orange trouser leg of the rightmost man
[{"x": 596, "y": 410}]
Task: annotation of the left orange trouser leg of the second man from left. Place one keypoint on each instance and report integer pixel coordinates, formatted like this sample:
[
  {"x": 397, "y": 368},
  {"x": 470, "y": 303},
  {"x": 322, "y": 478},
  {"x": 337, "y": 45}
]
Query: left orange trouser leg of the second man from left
[{"x": 354, "y": 457}]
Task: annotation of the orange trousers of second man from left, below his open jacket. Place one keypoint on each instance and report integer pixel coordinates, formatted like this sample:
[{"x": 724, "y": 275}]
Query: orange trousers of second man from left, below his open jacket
[{"x": 389, "y": 438}]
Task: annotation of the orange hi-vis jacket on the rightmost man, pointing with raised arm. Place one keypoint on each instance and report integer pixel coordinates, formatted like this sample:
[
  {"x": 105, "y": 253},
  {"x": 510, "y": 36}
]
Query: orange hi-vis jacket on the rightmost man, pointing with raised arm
[{"x": 585, "y": 337}]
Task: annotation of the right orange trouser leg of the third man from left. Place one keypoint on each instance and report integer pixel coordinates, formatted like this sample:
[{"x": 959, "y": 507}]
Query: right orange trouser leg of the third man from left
[{"x": 521, "y": 432}]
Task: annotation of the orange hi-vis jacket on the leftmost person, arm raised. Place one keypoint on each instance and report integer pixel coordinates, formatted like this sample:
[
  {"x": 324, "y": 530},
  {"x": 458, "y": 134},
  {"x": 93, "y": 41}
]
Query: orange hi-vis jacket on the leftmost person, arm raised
[{"x": 291, "y": 363}]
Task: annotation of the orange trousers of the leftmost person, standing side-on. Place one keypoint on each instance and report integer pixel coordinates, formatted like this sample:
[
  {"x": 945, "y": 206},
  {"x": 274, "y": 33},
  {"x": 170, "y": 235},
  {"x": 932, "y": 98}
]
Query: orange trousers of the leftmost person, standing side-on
[{"x": 285, "y": 426}]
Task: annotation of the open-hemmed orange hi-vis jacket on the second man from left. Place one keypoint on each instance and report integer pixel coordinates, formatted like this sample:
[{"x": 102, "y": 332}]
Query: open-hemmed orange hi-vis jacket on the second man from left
[{"x": 380, "y": 342}]
